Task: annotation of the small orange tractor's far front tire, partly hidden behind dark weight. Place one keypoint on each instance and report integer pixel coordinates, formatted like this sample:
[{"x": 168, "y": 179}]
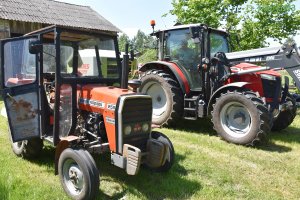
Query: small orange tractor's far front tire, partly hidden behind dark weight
[{"x": 170, "y": 153}]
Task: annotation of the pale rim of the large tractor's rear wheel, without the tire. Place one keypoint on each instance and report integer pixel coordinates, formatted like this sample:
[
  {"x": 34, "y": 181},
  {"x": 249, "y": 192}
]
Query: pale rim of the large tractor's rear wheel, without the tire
[{"x": 159, "y": 98}]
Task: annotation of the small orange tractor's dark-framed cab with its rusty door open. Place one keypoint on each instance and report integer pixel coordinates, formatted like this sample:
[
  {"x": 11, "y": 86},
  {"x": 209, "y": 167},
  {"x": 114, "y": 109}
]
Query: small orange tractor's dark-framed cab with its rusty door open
[{"x": 41, "y": 84}]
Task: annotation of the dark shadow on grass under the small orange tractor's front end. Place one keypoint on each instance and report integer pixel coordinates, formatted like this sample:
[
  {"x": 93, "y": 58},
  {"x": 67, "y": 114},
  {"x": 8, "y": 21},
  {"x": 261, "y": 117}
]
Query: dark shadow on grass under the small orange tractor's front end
[{"x": 152, "y": 185}]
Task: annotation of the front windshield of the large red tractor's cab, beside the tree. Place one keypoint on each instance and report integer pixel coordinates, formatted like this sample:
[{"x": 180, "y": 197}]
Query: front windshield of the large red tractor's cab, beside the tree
[{"x": 218, "y": 43}]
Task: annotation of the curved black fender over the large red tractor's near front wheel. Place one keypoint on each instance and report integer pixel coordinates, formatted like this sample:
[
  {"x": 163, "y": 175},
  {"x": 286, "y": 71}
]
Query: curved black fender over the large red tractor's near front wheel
[{"x": 218, "y": 92}]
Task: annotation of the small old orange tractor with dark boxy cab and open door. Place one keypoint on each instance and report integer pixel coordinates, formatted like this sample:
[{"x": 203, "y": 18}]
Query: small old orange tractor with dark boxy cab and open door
[{"x": 55, "y": 88}]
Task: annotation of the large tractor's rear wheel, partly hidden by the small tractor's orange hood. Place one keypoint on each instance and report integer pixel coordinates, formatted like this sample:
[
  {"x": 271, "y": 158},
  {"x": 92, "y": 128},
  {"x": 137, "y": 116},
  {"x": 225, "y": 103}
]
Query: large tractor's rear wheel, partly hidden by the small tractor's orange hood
[{"x": 167, "y": 97}]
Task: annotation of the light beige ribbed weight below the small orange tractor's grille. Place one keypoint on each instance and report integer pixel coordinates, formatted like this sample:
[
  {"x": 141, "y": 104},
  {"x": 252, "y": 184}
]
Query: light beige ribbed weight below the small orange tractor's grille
[{"x": 133, "y": 159}]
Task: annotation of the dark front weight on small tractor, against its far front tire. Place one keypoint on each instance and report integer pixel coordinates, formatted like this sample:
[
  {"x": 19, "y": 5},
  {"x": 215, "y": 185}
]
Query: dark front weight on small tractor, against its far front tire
[{"x": 156, "y": 151}]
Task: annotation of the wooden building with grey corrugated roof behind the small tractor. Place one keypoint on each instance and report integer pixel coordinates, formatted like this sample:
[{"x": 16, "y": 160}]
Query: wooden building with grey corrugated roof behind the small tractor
[{"x": 18, "y": 17}]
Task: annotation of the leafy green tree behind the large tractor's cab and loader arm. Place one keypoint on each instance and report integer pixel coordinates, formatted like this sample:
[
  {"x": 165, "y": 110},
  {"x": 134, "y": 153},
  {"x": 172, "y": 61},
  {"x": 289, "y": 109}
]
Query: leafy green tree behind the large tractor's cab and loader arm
[{"x": 253, "y": 20}]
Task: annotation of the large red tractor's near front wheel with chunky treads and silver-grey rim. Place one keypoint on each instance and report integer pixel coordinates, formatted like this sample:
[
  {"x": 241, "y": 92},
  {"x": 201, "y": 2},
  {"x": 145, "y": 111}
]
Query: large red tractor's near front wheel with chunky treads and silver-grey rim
[{"x": 241, "y": 118}]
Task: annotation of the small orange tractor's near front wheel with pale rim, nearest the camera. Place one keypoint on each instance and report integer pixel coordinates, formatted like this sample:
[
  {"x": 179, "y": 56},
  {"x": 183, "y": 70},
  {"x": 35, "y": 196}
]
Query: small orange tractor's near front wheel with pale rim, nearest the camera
[{"x": 77, "y": 175}]
